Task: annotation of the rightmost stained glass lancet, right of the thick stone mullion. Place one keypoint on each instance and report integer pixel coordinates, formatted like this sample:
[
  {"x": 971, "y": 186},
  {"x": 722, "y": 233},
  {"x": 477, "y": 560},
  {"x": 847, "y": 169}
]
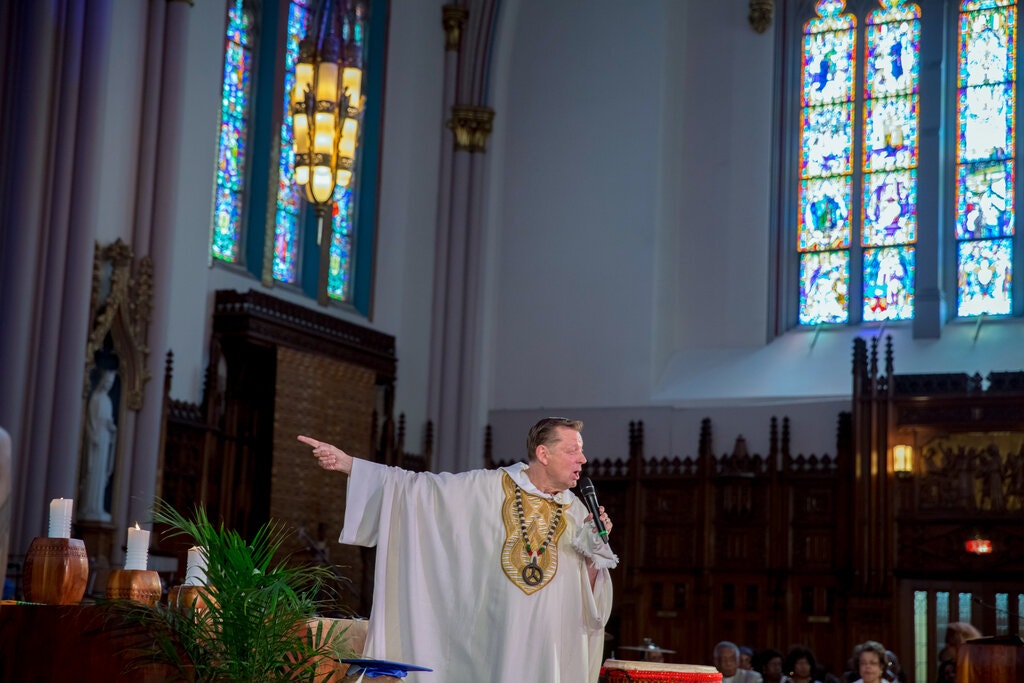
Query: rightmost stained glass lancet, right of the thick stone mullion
[{"x": 986, "y": 154}]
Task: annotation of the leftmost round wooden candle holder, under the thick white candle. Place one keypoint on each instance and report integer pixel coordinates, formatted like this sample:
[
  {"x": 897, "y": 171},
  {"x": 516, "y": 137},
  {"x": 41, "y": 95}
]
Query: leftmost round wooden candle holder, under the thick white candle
[{"x": 57, "y": 572}]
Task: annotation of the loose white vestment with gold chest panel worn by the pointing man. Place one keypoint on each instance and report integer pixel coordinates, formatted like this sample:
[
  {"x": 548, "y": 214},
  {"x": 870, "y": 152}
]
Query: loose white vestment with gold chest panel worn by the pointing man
[{"x": 444, "y": 595}]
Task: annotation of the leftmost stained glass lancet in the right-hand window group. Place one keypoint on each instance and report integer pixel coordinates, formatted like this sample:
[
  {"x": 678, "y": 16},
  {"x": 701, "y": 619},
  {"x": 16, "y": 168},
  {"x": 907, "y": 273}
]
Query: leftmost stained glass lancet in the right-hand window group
[{"x": 827, "y": 164}]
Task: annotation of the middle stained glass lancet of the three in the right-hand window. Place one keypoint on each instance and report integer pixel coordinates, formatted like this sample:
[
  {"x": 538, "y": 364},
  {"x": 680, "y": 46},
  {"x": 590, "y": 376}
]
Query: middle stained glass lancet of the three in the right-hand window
[{"x": 889, "y": 225}]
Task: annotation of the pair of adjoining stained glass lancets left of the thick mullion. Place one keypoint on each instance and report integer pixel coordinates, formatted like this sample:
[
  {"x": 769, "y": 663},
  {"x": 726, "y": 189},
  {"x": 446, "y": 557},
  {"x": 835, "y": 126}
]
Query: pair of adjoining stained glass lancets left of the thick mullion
[{"x": 872, "y": 204}]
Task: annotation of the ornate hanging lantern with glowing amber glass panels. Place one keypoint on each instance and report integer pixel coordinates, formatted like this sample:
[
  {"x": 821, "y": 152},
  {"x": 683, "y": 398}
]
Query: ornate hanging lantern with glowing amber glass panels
[{"x": 327, "y": 108}]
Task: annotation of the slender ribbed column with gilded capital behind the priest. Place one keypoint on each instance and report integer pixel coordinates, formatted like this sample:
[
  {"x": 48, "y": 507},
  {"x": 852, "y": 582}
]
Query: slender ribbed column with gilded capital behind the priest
[{"x": 457, "y": 324}]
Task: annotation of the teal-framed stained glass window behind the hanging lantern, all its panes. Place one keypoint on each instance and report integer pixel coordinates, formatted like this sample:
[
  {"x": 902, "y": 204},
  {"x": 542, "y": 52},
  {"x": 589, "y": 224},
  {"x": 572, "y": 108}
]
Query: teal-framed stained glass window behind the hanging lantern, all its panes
[{"x": 262, "y": 220}]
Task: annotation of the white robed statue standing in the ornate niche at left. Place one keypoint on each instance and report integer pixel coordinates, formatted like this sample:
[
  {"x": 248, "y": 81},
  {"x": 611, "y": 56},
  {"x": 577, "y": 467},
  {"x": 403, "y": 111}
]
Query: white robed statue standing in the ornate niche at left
[{"x": 101, "y": 450}]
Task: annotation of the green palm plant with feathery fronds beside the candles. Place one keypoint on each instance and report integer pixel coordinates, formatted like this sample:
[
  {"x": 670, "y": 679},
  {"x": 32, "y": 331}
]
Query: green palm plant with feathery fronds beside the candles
[{"x": 252, "y": 621}]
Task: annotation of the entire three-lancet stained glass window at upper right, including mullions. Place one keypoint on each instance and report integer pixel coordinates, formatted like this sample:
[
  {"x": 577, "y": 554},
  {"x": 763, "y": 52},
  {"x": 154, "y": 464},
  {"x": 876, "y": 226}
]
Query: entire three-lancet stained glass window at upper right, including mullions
[{"x": 860, "y": 240}]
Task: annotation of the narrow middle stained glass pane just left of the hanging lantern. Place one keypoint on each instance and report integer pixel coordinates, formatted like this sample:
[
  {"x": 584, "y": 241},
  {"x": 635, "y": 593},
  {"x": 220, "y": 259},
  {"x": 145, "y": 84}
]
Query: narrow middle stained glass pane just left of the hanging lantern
[{"x": 289, "y": 211}]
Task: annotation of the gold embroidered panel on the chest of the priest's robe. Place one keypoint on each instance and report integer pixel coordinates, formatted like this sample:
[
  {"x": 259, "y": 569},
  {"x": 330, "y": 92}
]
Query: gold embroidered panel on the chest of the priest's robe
[{"x": 538, "y": 515}]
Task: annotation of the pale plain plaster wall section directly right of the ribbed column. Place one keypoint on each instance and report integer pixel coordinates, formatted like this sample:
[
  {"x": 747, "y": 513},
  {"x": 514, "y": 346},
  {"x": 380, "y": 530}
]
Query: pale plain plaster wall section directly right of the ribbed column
[{"x": 576, "y": 233}]
